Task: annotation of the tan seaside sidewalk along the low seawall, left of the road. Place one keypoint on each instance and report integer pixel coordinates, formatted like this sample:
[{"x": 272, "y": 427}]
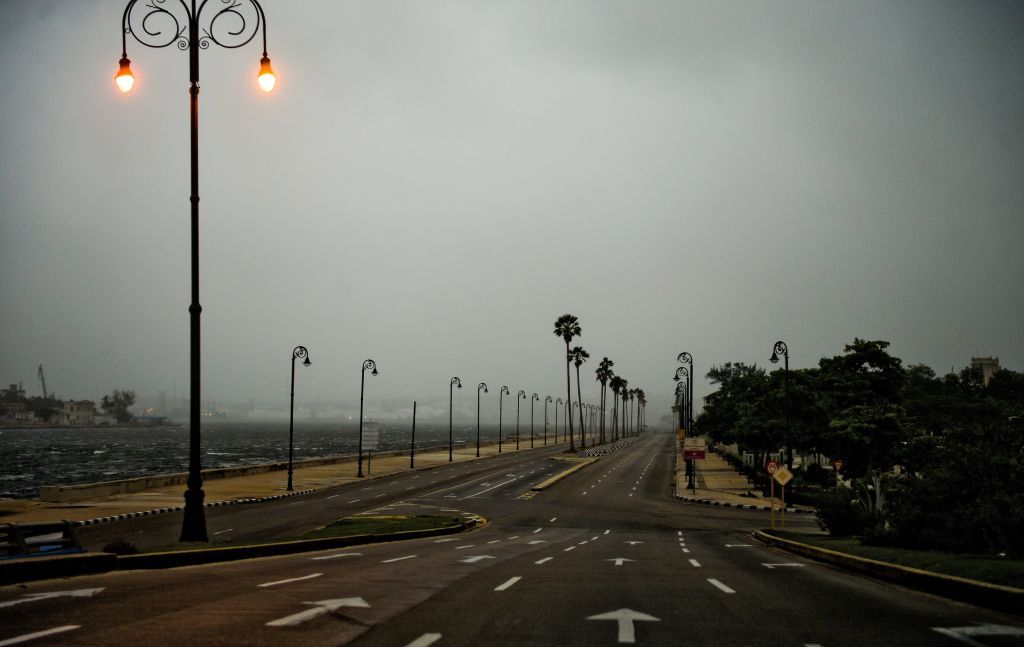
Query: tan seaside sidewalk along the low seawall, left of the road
[{"x": 238, "y": 490}]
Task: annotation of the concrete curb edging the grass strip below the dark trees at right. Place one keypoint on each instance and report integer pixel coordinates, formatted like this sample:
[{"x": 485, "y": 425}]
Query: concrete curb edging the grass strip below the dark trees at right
[{"x": 999, "y": 598}]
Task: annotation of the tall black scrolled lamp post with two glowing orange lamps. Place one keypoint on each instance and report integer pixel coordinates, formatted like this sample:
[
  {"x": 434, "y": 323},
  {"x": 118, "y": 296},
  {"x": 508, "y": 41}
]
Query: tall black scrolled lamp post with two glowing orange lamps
[{"x": 192, "y": 27}]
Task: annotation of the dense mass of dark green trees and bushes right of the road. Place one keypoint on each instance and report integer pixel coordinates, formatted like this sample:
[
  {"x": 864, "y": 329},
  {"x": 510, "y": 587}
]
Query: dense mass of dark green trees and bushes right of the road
[{"x": 929, "y": 462}]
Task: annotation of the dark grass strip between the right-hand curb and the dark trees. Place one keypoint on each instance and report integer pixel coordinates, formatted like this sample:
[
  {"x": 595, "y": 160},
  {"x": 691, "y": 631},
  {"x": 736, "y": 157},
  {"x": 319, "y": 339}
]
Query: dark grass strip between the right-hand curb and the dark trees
[{"x": 997, "y": 571}]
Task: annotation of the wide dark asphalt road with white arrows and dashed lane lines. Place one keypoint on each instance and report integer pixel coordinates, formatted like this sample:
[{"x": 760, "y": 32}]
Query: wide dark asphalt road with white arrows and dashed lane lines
[{"x": 606, "y": 557}]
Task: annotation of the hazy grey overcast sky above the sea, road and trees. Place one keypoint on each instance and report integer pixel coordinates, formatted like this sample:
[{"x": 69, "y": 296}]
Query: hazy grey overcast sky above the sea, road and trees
[{"x": 434, "y": 184}]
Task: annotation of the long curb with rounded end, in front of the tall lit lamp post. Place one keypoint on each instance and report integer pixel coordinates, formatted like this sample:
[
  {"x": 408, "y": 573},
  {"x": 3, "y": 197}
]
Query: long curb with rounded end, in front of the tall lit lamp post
[{"x": 33, "y": 569}]
